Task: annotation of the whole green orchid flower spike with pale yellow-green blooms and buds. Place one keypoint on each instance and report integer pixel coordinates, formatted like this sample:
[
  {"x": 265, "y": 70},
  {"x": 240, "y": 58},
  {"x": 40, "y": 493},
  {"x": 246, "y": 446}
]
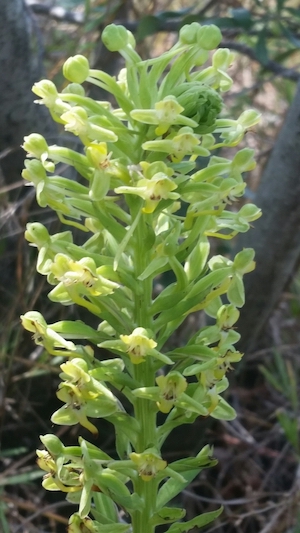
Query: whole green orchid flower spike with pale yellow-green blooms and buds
[{"x": 146, "y": 205}]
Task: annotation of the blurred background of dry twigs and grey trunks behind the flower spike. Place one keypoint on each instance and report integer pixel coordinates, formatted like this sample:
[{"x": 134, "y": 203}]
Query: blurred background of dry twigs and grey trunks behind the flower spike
[{"x": 258, "y": 476}]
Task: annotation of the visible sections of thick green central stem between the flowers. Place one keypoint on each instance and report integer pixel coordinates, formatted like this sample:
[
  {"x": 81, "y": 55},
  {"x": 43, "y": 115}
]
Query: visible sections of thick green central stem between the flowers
[{"x": 144, "y": 373}]
